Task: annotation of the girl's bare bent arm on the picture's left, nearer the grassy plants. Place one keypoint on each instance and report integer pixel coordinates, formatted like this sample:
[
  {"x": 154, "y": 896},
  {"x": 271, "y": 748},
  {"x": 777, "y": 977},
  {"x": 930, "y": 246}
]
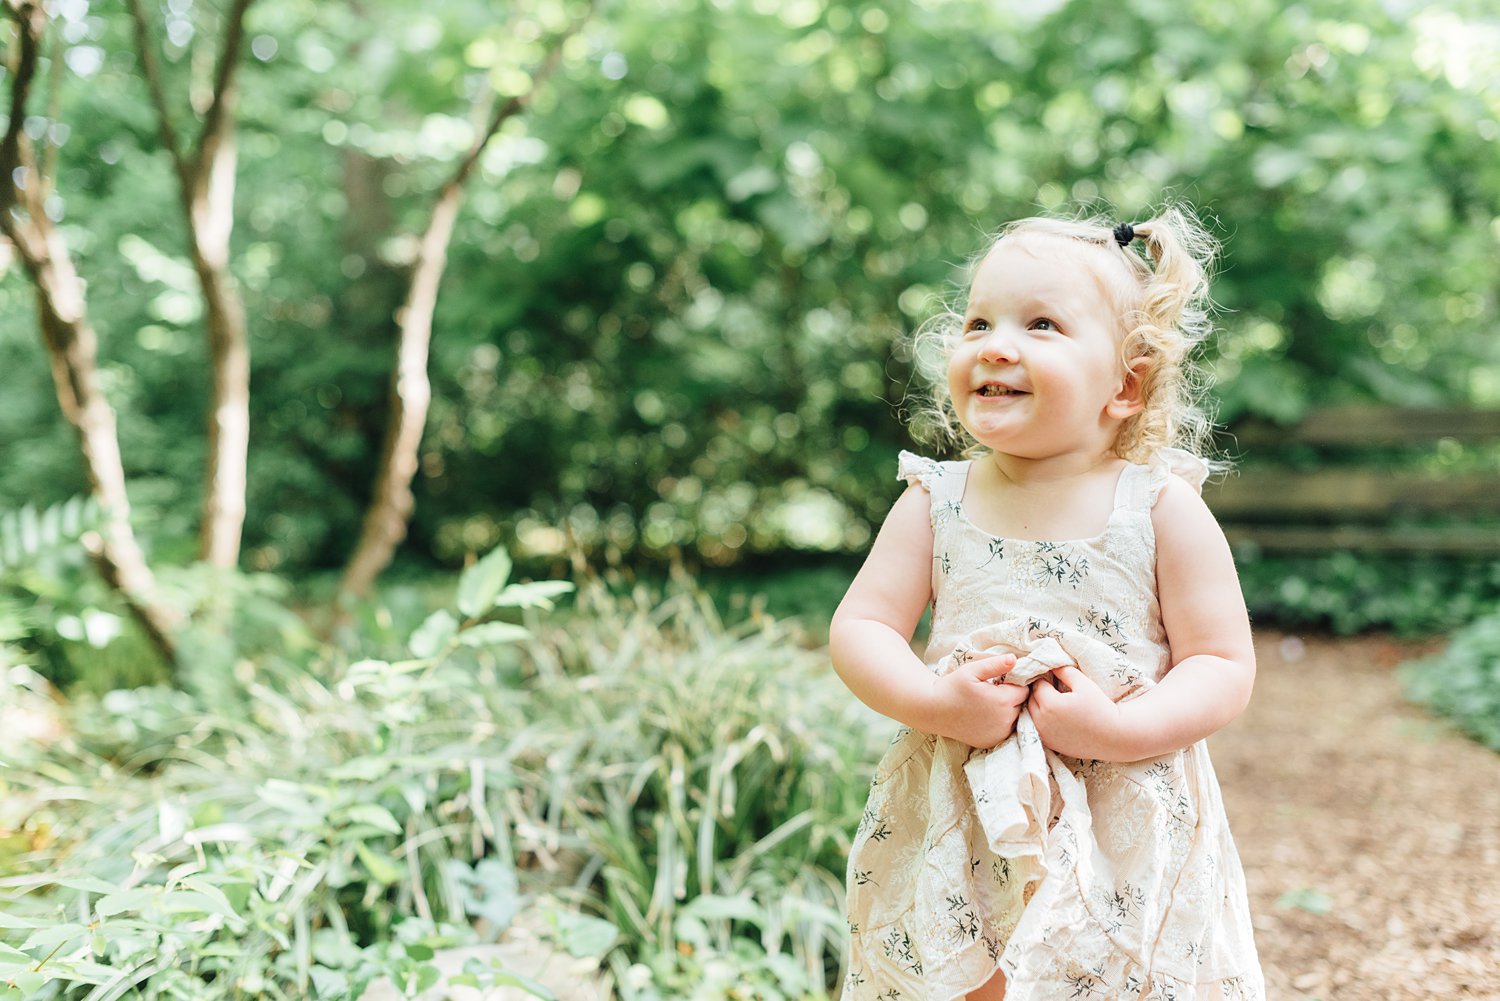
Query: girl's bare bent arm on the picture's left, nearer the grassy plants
[{"x": 871, "y": 636}]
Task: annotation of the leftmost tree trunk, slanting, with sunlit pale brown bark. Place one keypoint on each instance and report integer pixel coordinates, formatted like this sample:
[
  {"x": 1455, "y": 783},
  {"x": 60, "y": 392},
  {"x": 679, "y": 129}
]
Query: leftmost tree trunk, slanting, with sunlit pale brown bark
[{"x": 73, "y": 349}]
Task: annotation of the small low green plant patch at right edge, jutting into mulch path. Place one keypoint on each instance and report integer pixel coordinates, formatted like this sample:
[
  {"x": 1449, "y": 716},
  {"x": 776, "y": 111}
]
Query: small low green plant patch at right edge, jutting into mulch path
[{"x": 1463, "y": 681}]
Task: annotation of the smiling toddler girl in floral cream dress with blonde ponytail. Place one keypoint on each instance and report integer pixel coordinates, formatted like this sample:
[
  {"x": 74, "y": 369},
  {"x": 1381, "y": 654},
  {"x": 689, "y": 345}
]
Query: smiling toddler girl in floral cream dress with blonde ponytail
[{"x": 1048, "y": 823}]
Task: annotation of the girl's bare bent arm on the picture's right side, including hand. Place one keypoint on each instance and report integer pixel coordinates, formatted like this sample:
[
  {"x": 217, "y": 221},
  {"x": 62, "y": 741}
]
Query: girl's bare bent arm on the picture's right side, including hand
[{"x": 1213, "y": 660}]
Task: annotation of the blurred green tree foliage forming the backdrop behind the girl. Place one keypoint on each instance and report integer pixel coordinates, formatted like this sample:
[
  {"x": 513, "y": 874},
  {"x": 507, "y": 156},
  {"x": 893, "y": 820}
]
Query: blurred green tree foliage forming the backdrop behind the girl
[{"x": 676, "y": 301}]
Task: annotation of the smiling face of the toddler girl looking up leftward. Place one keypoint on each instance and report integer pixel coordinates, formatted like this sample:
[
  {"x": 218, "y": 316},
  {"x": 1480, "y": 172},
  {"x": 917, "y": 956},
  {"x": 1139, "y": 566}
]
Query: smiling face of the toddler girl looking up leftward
[{"x": 1037, "y": 373}]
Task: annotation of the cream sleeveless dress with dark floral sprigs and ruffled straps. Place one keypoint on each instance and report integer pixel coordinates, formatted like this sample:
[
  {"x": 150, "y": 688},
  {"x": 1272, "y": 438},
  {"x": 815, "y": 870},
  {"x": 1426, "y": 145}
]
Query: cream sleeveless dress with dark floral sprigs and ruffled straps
[{"x": 1076, "y": 879}]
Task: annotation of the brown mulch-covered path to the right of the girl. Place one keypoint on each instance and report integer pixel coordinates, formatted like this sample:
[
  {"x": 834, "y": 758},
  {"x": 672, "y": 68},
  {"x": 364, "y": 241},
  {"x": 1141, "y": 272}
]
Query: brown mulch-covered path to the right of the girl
[{"x": 1370, "y": 832}]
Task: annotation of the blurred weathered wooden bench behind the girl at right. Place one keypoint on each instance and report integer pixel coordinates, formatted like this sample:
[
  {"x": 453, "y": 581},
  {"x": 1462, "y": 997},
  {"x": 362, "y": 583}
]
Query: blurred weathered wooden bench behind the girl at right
[{"x": 1366, "y": 478}]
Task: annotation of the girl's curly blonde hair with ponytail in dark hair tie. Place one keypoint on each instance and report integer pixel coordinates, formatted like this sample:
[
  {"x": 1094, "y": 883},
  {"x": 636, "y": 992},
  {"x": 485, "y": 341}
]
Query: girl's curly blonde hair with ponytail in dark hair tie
[{"x": 1166, "y": 313}]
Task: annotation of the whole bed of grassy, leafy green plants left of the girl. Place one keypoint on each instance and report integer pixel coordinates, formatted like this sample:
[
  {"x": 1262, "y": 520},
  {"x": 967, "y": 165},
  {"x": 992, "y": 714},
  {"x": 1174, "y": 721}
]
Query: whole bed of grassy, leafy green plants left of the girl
[{"x": 650, "y": 783}]
